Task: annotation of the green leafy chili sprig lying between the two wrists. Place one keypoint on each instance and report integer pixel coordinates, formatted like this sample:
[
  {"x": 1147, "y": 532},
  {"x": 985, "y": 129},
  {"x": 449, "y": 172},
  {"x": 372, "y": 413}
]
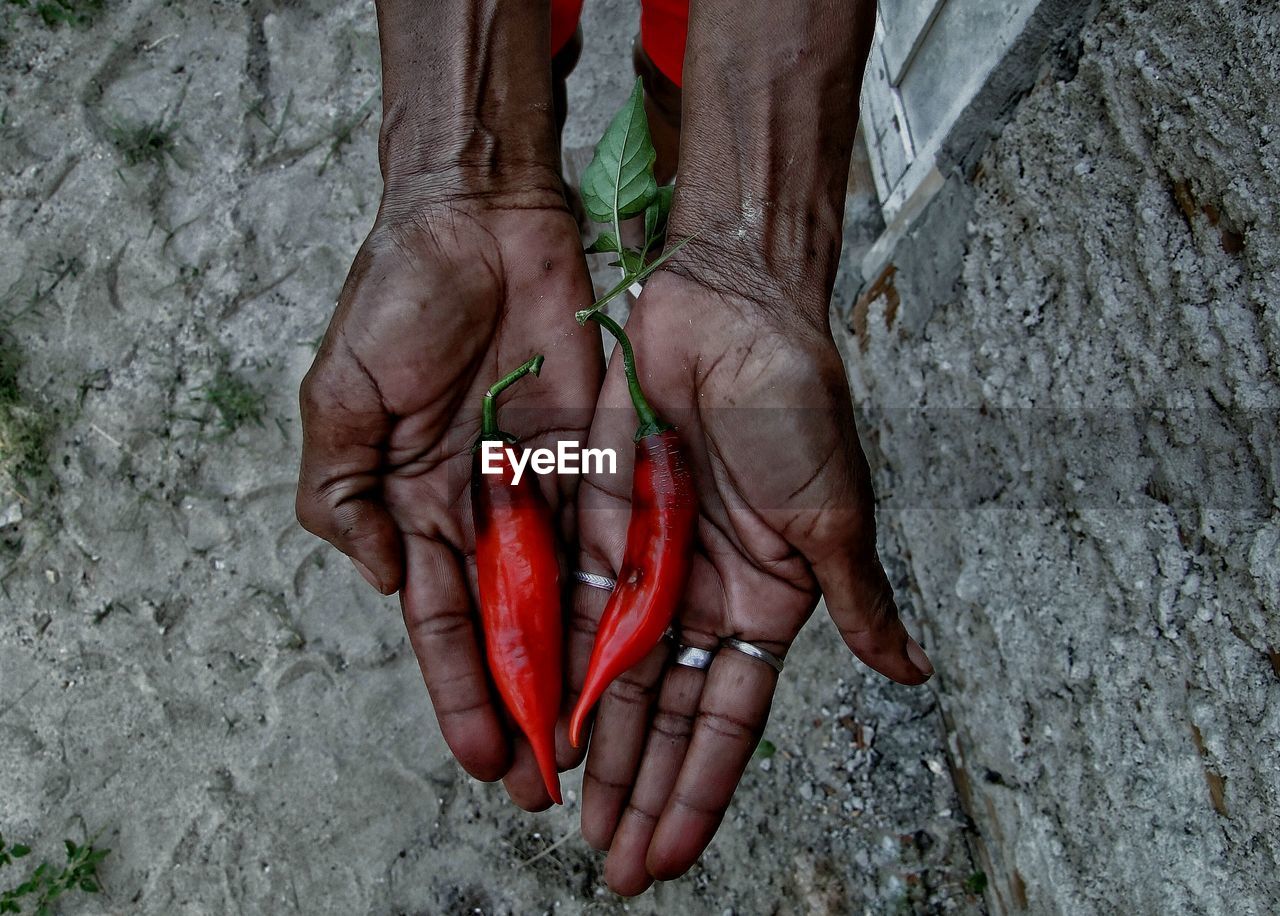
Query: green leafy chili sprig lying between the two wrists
[{"x": 619, "y": 185}]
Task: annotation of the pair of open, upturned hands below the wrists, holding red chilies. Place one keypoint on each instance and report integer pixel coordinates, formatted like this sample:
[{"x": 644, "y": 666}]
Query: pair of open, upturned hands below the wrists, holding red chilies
[{"x": 446, "y": 297}]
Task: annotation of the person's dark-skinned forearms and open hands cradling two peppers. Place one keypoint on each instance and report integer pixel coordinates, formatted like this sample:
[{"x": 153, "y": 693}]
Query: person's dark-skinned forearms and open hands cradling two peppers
[{"x": 452, "y": 290}]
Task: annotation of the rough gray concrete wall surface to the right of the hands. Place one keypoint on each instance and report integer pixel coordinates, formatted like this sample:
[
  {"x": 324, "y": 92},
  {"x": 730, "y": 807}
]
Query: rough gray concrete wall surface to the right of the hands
[{"x": 1101, "y": 587}]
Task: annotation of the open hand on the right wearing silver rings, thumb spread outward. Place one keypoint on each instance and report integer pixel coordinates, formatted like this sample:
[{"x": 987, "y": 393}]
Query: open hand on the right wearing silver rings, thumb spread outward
[{"x": 762, "y": 406}]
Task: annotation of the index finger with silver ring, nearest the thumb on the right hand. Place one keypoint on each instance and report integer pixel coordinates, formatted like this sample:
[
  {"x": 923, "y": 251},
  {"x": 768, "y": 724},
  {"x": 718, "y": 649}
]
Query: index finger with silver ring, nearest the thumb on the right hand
[{"x": 732, "y": 717}]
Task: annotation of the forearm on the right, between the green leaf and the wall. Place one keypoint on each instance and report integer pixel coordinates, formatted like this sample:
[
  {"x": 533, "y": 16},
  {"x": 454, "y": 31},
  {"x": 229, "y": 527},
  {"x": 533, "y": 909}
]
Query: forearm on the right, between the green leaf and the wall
[{"x": 770, "y": 112}]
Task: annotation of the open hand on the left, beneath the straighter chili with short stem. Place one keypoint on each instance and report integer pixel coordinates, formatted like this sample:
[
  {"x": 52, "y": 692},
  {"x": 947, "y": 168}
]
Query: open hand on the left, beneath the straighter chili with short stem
[{"x": 444, "y": 299}]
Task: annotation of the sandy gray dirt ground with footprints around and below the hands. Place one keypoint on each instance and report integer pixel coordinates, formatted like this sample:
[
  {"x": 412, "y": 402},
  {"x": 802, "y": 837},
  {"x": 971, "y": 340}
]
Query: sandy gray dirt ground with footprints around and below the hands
[{"x": 182, "y": 668}]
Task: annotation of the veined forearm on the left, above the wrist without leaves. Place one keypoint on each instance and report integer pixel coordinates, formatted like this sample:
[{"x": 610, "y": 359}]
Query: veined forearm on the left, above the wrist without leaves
[{"x": 467, "y": 99}]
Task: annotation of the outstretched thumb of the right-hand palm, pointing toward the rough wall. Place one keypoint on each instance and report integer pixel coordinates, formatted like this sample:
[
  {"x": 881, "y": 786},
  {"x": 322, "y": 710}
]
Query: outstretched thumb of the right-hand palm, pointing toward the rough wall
[{"x": 861, "y": 602}]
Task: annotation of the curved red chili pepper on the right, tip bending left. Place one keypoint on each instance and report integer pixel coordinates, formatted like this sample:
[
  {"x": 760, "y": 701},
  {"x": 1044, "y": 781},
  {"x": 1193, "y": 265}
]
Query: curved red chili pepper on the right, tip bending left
[{"x": 659, "y": 553}]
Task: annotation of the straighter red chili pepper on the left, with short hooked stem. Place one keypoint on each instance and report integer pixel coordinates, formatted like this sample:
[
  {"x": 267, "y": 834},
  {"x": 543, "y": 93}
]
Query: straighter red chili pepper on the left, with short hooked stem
[{"x": 518, "y": 575}]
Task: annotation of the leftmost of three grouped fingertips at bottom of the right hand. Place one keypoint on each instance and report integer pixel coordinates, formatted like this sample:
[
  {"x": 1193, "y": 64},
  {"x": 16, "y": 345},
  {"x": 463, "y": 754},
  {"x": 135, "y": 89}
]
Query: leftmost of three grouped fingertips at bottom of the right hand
[{"x": 618, "y": 741}]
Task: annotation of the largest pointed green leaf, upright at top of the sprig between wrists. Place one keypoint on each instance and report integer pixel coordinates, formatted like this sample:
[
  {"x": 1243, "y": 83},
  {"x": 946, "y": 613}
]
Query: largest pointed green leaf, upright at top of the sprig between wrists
[{"x": 620, "y": 182}]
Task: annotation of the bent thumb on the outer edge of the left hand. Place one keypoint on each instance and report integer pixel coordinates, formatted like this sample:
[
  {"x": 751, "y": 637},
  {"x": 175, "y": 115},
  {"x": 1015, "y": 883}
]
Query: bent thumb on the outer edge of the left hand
[{"x": 345, "y": 428}]
